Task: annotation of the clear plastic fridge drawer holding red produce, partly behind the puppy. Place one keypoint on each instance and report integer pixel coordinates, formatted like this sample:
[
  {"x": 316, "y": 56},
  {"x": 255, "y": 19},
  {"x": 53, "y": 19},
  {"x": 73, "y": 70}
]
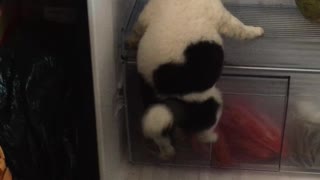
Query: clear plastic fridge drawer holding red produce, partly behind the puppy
[{"x": 250, "y": 131}]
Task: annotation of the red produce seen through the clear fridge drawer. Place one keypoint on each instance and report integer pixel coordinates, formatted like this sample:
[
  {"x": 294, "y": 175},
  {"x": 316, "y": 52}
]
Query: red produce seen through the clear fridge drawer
[{"x": 246, "y": 136}]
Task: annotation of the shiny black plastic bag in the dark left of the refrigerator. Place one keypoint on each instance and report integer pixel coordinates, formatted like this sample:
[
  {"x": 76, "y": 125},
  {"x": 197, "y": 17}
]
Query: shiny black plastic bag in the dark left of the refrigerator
[{"x": 38, "y": 140}]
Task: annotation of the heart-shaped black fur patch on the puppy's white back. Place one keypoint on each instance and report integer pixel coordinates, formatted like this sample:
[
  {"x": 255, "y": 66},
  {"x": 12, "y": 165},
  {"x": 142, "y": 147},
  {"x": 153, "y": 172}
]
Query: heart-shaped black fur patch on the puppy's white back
[{"x": 201, "y": 70}]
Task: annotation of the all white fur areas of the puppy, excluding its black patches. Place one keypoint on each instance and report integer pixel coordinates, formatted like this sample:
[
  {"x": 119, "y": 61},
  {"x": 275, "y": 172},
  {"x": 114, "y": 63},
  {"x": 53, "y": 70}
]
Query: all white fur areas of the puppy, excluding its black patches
[{"x": 164, "y": 29}]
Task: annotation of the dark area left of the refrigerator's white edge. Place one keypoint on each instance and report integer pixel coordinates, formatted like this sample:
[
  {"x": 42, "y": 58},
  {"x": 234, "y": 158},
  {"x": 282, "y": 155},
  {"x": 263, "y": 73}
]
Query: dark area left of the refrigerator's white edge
[{"x": 47, "y": 121}]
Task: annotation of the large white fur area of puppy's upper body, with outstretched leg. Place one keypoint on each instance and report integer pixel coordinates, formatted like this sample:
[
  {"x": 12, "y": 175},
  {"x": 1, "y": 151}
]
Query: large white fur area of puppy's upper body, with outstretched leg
[{"x": 167, "y": 27}]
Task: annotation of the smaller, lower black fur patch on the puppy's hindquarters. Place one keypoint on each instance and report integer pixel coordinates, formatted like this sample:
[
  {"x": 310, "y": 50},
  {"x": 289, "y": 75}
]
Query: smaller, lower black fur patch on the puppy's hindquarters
[{"x": 193, "y": 117}]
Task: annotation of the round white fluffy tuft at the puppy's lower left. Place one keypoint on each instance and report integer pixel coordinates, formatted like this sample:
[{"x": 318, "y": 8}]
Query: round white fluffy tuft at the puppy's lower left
[{"x": 157, "y": 121}]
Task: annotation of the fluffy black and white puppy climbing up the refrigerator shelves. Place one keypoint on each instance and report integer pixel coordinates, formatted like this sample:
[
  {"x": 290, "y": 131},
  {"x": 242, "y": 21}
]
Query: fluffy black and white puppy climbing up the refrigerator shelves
[{"x": 180, "y": 57}]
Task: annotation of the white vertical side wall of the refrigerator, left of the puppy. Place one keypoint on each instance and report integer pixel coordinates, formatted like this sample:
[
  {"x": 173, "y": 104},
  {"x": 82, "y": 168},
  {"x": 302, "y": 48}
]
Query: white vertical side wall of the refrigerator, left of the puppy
[{"x": 105, "y": 20}]
